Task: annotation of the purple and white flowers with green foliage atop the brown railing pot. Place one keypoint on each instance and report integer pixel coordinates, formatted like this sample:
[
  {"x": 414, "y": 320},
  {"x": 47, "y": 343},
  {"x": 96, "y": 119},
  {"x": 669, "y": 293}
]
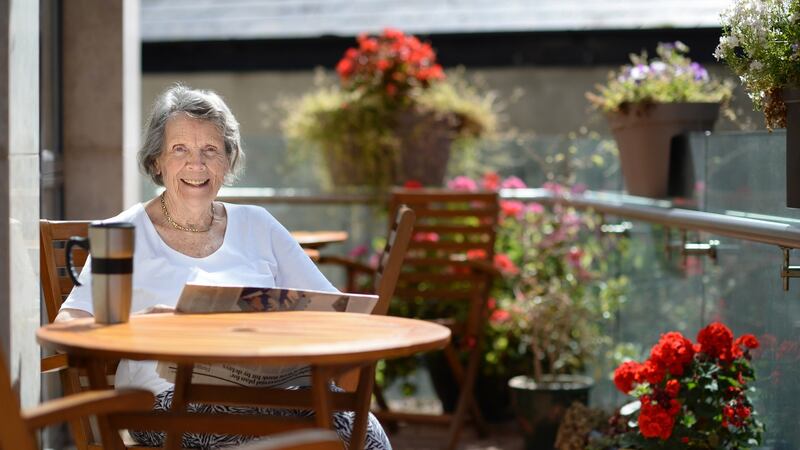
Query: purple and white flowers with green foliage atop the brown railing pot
[{"x": 668, "y": 78}]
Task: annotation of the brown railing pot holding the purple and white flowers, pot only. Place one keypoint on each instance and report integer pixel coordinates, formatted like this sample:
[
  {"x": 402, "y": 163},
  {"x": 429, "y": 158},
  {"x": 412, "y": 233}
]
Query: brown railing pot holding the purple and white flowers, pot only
[{"x": 644, "y": 135}]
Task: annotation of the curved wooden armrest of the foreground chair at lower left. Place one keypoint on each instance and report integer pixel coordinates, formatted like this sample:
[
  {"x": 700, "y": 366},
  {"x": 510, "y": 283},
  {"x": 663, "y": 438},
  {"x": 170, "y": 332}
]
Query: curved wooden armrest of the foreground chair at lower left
[{"x": 86, "y": 404}]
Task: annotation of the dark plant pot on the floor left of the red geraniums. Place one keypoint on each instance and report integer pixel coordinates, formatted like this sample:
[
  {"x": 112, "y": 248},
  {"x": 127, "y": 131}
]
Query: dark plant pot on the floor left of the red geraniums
[{"x": 541, "y": 406}]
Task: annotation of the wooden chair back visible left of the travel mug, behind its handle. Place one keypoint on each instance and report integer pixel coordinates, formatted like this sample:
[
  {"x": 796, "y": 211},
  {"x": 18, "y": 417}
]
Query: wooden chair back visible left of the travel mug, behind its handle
[{"x": 56, "y": 283}]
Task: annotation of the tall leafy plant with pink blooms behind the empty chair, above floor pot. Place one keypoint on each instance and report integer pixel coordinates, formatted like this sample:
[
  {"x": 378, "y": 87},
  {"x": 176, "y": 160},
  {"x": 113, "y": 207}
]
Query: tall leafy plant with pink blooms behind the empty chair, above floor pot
[{"x": 558, "y": 290}]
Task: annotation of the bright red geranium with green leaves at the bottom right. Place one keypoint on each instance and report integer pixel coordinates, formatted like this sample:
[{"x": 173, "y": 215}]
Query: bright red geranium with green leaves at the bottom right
[{"x": 692, "y": 395}]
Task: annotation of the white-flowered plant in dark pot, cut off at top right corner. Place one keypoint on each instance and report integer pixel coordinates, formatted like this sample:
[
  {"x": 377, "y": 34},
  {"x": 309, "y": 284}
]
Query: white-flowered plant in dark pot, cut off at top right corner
[{"x": 761, "y": 43}]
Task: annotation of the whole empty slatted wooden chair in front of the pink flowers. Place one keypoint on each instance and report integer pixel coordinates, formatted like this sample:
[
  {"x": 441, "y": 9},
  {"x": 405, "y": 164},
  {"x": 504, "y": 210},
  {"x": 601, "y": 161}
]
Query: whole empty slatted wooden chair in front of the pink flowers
[{"x": 449, "y": 269}]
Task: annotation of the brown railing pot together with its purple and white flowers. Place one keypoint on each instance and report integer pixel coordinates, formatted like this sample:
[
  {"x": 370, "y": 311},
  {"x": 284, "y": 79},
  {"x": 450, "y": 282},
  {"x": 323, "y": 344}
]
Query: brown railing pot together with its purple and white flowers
[{"x": 648, "y": 103}]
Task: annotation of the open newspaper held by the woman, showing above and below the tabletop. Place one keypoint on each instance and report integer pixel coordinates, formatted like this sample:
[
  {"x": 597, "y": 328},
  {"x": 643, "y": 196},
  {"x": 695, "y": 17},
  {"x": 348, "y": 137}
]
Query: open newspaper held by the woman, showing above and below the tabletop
[{"x": 198, "y": 298}]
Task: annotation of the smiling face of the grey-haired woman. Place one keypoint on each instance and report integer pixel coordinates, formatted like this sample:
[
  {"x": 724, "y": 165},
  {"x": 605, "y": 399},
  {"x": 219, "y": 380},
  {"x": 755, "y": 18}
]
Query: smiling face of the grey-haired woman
[{"x": 193, "y": 163}]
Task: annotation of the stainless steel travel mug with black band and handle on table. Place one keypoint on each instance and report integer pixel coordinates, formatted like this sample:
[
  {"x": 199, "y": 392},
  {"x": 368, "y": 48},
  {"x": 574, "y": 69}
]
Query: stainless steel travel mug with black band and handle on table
[{"x": 111, "y": 247}]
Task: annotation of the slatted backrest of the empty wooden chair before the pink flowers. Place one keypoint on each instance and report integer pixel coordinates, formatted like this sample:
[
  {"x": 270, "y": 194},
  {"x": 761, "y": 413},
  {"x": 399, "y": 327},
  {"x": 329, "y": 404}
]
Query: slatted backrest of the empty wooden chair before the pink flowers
[{"x": 453, "y": 230}]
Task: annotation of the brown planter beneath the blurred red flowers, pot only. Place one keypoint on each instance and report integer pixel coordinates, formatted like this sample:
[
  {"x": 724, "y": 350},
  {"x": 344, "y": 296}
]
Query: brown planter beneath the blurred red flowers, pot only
[{"x": 424, "y": 141}]
